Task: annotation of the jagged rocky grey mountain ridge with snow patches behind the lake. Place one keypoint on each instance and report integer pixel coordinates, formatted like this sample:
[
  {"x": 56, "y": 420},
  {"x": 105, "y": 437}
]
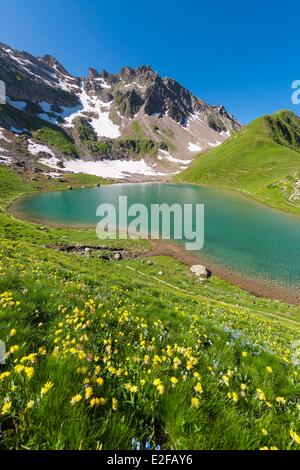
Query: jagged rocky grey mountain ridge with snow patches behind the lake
[{"x": 133, "y": 115}]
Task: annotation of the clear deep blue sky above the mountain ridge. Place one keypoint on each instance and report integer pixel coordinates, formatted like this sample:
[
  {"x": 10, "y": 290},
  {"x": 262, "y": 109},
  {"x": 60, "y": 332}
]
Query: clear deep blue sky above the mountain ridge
[{"x": 243, "y": 54}]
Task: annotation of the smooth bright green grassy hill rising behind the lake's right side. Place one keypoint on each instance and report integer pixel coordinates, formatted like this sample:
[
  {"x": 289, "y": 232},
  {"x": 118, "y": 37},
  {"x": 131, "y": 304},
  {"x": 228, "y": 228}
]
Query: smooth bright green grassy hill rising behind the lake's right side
[{"x": 263, "y": 160}]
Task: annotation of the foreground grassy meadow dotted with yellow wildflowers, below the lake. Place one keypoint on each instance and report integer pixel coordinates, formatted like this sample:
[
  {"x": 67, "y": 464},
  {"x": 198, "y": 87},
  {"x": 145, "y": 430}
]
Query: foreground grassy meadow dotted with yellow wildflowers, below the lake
[{"x": 102, "y": 352}]
